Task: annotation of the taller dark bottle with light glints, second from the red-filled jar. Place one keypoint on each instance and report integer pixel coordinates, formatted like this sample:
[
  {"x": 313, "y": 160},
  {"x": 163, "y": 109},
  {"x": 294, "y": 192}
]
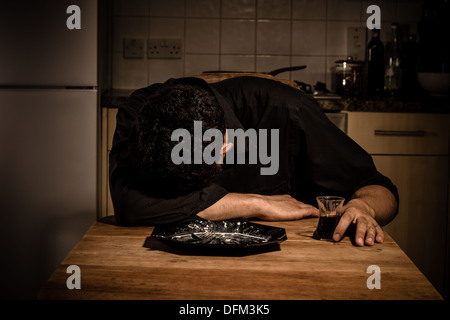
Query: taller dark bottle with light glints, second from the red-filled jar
[{"x": 393, "y": 76}]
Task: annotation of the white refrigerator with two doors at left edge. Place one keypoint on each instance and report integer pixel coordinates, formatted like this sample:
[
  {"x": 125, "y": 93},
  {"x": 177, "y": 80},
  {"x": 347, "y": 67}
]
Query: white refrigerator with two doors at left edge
[{"x": 48, "y": 137}]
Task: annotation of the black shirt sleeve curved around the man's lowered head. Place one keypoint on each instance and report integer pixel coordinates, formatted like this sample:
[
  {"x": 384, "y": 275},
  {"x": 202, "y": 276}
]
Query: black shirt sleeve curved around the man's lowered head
[{"x": 132, "y": 205}]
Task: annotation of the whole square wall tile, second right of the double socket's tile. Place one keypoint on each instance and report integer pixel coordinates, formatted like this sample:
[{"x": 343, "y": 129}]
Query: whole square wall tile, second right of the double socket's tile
[{"x": 238, "y": 36}]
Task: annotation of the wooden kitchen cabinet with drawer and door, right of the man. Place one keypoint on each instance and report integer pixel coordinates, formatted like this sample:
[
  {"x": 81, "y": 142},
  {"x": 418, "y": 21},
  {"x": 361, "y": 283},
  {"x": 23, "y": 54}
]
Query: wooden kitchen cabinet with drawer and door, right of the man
[{"x": 413, "y": 151}]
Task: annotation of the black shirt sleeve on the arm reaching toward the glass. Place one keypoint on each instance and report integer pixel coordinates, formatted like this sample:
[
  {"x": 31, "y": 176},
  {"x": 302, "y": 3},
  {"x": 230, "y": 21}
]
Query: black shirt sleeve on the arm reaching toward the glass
[{"x": 334, "y": 162}]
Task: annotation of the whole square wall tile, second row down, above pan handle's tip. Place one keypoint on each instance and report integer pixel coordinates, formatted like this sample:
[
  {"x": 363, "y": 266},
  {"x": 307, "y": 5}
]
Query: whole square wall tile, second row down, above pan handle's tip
[{"x": 308, "y": 37}]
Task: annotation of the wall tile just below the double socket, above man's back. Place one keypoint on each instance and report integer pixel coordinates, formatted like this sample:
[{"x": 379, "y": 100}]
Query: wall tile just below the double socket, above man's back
[{"x": 160, "y": 70}]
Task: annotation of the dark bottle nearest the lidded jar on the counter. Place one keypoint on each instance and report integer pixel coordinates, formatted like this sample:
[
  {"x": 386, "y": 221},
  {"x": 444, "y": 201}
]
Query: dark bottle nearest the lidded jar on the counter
[{"x": 375, "y": 66}]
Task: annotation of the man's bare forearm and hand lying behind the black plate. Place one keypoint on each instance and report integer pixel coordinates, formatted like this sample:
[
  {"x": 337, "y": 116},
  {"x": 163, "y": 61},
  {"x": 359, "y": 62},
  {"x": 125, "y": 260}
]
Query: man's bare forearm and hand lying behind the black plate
[{"x": 271, "y": 208}]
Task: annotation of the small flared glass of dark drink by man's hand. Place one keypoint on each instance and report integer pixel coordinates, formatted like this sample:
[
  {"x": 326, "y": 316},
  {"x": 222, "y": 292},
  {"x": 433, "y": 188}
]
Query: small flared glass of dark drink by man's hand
[{"x": 330, "y": 211}]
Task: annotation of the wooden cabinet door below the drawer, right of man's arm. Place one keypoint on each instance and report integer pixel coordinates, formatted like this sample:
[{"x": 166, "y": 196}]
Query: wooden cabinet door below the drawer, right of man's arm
[{"x": 420, "y": 227}]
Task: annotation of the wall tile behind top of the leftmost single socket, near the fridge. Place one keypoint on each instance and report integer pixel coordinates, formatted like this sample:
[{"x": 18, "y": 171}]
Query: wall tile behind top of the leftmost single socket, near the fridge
[{"x": 128, "y": 27}]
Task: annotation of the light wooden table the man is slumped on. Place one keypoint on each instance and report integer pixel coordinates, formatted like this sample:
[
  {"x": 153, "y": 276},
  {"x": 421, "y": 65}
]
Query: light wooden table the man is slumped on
[{"x": 114, "y": 264}]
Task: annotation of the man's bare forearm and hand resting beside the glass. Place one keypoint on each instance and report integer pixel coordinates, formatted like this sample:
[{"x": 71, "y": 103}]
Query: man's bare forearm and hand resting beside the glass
[{"x": 370, "y": 207}]
